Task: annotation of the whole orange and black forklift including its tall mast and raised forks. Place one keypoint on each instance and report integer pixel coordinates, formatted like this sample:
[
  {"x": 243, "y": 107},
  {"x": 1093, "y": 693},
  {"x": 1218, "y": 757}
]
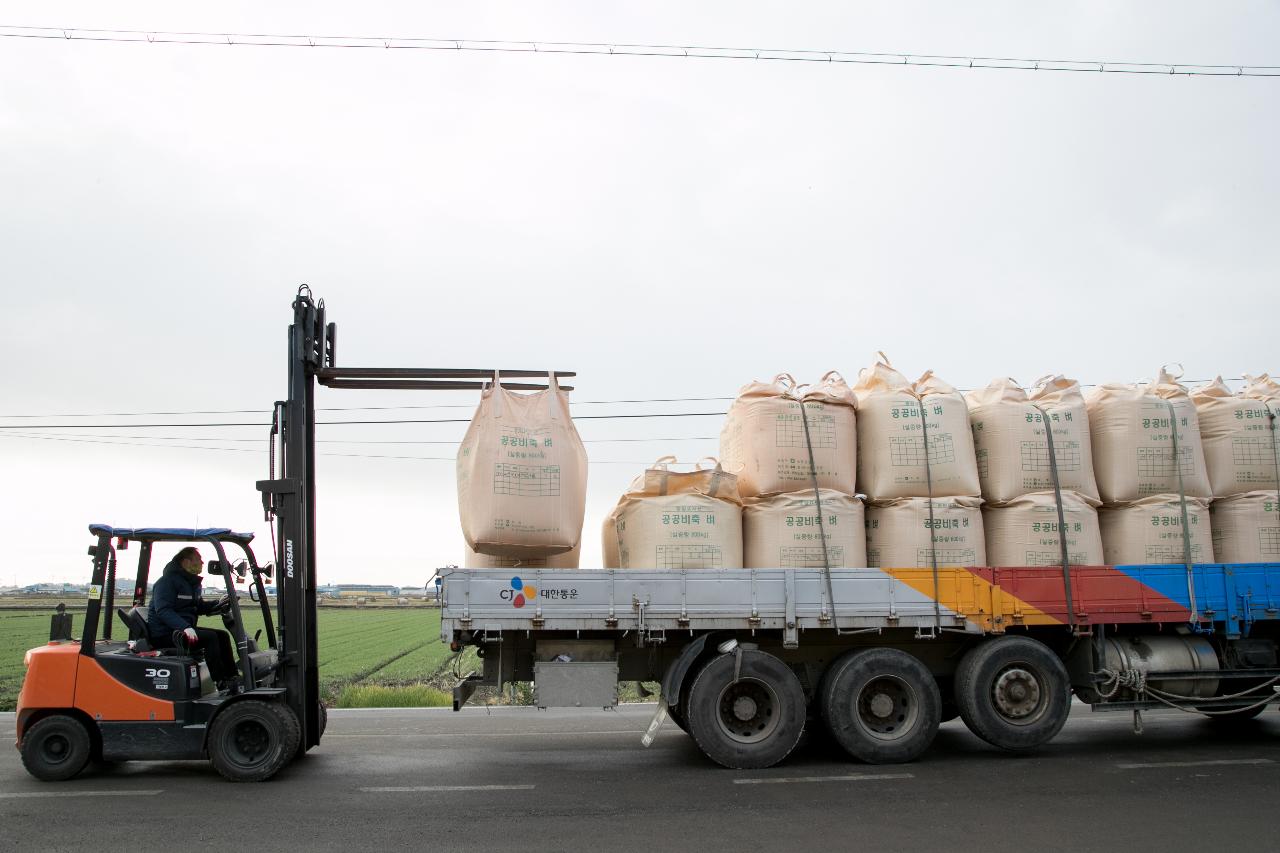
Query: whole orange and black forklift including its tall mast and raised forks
[{"x": 102, "y": 699}]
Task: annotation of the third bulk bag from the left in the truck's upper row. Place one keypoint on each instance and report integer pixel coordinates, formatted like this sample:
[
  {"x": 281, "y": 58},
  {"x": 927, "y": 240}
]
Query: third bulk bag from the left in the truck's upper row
[{"x": 1011, "y": 443}]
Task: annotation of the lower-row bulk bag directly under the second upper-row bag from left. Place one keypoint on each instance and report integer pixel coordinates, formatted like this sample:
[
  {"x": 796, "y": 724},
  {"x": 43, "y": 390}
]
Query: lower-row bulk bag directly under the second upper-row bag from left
[{"x": 898, "y": 533}]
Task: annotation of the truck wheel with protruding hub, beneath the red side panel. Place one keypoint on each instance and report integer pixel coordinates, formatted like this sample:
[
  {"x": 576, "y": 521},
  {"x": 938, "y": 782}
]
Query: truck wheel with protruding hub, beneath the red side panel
[{"x": 1013, "y": 692}]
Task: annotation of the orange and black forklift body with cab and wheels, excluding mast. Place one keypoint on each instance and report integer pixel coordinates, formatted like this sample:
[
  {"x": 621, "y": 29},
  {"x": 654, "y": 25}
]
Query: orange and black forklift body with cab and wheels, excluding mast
[{"x": 108, "y": 699}]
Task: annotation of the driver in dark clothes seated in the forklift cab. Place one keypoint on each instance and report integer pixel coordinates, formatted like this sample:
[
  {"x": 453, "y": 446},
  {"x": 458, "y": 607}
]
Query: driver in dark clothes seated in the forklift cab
[{"x": 176, "y": 605}]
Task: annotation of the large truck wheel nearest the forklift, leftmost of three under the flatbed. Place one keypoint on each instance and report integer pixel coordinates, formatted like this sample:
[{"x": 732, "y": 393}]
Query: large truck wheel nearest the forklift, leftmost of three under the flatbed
[{"x": 746, "y": 713}]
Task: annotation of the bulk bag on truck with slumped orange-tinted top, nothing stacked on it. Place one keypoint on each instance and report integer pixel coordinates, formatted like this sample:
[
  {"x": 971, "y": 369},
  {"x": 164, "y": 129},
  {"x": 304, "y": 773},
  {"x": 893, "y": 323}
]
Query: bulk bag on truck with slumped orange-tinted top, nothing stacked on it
[{"x": 680, "y": 521}]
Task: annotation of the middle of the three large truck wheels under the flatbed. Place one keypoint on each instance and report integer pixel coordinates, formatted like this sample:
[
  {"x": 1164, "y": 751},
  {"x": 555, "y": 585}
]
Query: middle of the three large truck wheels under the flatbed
[{"x": 881, "y": 705}]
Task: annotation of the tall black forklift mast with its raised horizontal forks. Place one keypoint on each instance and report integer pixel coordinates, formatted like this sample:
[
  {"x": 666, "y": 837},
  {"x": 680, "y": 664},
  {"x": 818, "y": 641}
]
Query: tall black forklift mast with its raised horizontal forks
[{"x": 290, "y": 499}]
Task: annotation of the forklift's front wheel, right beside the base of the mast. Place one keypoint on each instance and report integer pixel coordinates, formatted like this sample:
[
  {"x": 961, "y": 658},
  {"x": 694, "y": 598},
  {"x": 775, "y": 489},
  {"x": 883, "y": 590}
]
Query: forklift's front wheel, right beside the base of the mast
[{"x": 253, "y": 740}]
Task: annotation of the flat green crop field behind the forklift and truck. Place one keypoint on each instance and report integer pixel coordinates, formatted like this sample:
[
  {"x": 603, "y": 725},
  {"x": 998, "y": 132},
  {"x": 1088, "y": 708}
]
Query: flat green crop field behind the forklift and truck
[{"x": 368, "y": 656}]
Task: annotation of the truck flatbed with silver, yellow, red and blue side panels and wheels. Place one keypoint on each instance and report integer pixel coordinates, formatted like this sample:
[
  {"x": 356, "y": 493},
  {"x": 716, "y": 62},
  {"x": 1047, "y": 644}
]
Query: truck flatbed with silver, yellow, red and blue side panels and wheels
[{"x": 748, "y": 658}]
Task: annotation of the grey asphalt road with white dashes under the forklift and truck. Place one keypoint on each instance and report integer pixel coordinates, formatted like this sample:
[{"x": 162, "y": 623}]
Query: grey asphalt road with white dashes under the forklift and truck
[{"x": 579, "y": 781}]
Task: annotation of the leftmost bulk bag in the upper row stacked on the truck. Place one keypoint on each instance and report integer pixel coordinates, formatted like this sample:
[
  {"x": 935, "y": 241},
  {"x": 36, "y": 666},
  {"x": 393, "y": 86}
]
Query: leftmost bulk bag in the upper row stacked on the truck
[{"x": 764, "y": 440}]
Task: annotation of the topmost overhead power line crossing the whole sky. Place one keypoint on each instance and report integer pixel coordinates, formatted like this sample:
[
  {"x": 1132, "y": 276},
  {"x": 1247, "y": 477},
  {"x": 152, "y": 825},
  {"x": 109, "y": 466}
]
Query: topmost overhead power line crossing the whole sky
[{"x": 632, "y": 49}]
